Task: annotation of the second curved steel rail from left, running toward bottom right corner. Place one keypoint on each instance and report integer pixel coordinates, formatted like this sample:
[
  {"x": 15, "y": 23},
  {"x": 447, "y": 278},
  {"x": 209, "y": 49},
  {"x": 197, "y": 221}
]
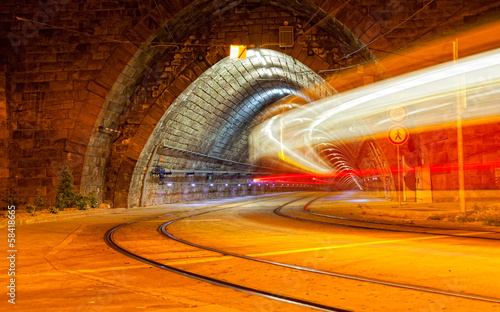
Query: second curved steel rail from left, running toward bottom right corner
[{"x": 163, "y": 230}]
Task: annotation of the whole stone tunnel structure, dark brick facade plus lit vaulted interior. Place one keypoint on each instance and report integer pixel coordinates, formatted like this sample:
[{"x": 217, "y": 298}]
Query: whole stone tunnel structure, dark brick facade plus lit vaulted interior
[{"x": 119, "y": 90}]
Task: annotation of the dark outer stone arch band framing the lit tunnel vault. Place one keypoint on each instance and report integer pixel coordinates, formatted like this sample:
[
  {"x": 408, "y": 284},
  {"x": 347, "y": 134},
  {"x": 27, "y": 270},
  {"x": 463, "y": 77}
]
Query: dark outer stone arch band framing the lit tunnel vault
[{"x": 138, "y": 68}]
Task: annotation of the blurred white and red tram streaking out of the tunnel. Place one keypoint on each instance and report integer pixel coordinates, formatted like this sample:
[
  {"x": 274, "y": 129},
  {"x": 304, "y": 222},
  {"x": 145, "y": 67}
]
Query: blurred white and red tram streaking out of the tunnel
[{"x": 324, "y": 138}]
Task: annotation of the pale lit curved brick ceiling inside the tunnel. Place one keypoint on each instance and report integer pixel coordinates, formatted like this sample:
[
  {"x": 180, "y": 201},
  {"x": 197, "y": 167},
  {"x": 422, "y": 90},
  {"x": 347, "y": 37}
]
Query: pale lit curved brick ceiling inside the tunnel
[{"x": 214, "y": 115}]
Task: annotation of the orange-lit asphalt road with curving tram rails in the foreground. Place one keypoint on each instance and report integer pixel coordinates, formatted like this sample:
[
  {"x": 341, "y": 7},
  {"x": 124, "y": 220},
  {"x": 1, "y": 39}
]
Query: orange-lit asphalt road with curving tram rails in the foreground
[{"x": 66, "y": 266}]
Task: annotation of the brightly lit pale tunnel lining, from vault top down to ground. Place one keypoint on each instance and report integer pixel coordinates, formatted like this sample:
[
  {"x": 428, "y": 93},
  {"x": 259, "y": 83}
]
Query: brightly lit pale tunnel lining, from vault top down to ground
[{"x": 199, "y": 148}]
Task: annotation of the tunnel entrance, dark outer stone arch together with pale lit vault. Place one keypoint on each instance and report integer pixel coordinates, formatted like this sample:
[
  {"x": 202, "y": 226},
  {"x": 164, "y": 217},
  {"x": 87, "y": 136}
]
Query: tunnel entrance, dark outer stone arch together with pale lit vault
[{"x": 162, "y": 70}]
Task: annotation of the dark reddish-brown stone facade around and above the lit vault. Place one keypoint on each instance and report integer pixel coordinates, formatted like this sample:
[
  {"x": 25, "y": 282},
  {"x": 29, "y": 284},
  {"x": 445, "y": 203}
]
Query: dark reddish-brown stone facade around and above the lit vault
[{"x": 69, "y": 67}]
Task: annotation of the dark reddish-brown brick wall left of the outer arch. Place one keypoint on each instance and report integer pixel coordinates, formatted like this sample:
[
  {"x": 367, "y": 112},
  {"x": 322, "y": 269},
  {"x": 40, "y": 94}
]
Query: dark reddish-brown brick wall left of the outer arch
[{"x": 49, "y": 68}]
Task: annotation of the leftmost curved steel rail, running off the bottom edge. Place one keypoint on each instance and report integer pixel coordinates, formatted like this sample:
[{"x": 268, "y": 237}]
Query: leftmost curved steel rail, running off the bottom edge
[{"x": 108, "y": 238}]
